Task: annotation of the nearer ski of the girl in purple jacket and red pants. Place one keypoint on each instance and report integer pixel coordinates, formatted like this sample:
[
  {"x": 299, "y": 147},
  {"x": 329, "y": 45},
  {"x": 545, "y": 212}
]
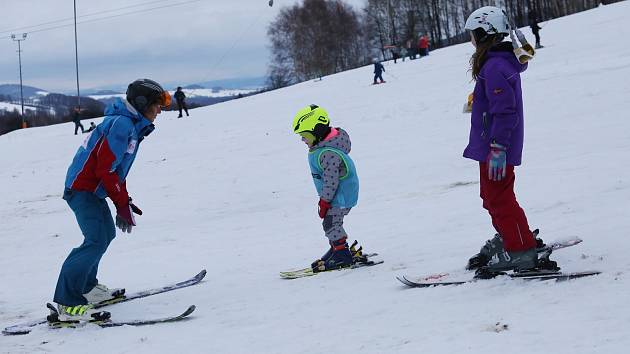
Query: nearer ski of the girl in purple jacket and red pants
[{"x": 532, "y": 275}]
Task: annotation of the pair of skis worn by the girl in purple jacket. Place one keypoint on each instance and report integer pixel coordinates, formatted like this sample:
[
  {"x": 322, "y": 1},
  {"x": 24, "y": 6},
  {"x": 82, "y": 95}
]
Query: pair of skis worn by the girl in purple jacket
[{"x": 444, "y": 279}]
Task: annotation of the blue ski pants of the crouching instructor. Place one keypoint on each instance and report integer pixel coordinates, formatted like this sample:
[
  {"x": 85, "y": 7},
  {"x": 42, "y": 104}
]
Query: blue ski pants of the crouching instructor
[{"x": 78, "y": 272}]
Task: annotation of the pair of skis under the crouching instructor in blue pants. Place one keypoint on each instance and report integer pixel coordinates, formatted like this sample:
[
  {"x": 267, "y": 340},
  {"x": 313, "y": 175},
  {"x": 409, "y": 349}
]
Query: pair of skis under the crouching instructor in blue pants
[{"x": 27, "y": 327}]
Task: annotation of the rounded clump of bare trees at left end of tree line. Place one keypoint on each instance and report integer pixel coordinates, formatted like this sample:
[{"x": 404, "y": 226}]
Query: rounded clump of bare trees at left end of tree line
[{"x": 313, "y": 39}]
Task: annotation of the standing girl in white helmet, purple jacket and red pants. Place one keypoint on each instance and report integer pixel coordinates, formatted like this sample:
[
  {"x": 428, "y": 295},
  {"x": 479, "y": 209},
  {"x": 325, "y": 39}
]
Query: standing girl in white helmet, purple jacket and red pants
[{"x": 496, "y": 141}]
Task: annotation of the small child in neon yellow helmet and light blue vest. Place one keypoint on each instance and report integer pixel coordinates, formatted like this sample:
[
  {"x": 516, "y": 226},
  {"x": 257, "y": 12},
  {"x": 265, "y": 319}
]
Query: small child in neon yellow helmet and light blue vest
[{"x": 336, "y": 182}]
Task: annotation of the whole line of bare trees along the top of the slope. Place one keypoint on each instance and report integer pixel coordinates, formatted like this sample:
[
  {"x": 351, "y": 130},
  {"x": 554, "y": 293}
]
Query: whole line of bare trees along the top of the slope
[{"x": 323, "y": 37}]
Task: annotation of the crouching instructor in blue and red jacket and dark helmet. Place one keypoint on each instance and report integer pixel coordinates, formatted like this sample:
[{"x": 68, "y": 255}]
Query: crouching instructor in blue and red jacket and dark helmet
[{"x": 98, "y": 171}]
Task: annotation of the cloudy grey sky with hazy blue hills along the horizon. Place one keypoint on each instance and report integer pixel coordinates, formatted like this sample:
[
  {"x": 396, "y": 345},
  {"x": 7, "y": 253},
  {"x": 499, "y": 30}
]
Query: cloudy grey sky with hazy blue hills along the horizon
[{"x": 199, "y": 40}]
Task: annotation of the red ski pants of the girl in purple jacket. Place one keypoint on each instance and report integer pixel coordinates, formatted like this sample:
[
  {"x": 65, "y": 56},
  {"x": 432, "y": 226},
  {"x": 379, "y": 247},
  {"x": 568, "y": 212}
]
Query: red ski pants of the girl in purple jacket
[{"x": 507, "y": 216}]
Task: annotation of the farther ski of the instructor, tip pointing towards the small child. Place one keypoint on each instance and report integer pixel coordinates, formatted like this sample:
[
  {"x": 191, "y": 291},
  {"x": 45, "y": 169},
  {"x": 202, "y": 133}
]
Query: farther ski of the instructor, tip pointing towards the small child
[{"x": 25, "y": 328}]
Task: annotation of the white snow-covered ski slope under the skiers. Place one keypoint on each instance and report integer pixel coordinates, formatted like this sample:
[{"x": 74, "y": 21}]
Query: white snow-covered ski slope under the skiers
[{"x": 229, "y": 190}]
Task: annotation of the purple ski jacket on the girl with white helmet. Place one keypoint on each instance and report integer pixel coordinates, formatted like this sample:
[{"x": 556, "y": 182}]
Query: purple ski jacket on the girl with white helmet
[{"x": 497, "y": 110}]
